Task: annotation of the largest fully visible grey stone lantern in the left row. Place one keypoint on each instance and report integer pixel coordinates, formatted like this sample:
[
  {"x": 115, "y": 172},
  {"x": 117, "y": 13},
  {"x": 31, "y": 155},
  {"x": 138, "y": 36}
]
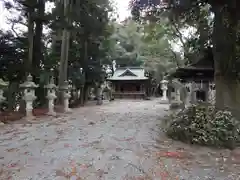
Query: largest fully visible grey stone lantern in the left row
[{"x": 29, "y": 95}]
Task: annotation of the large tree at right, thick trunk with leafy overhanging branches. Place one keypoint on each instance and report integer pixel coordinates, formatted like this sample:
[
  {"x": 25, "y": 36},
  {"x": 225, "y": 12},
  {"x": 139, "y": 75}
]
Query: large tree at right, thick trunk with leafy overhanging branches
[{"x": 217, "y": 24}]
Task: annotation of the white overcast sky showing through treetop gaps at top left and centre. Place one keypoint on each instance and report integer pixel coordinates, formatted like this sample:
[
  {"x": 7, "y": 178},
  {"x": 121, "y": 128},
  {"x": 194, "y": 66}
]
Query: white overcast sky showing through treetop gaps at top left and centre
[{"x": 121, "y": 5}]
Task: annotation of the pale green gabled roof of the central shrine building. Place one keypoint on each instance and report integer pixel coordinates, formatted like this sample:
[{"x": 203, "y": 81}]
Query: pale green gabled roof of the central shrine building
[{"x": 129, "y": 73}]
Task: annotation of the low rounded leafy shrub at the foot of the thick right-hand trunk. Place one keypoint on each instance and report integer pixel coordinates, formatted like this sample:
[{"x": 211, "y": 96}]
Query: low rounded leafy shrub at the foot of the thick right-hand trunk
[{"x": 203, "y": 124}]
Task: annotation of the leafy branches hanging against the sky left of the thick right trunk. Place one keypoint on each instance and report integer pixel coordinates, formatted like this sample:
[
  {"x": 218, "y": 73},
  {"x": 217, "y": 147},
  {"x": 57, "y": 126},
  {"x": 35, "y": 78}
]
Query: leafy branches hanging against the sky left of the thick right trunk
[{"x": 179, "y": 16}]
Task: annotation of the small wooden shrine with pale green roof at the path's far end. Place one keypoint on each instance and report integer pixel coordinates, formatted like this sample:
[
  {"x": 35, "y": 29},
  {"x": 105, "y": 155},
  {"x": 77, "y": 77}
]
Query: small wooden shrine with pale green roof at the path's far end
[{"x": 129, "y": 82}]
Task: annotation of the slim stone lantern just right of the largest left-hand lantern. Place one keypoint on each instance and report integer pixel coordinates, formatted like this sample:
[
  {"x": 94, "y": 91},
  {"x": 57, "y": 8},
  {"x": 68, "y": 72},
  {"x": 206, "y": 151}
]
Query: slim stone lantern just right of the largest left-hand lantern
[{"x": 51, "y": 96}]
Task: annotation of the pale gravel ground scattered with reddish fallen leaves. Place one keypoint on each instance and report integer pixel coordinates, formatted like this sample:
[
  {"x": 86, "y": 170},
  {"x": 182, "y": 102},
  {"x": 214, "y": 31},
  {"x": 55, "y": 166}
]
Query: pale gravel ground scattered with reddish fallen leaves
[{"x": 121, "y": 140}]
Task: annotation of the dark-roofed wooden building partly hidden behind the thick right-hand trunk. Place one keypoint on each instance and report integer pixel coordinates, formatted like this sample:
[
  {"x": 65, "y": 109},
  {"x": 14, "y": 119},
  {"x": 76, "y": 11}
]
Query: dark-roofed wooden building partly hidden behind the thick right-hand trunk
[{"x": 200, "y": 75}]
